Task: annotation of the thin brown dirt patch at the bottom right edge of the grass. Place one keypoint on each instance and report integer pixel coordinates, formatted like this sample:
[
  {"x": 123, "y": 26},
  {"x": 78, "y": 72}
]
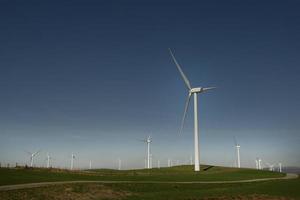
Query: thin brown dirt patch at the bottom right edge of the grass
[{"x": 249, "y": 197}]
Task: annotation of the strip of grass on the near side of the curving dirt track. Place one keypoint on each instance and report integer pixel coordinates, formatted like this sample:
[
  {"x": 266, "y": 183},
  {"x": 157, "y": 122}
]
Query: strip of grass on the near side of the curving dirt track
[{"x": 268, "y": 190}]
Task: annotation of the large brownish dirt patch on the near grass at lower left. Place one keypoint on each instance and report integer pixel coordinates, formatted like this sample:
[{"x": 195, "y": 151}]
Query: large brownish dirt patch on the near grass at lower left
[{"x": 65, "y": 192}]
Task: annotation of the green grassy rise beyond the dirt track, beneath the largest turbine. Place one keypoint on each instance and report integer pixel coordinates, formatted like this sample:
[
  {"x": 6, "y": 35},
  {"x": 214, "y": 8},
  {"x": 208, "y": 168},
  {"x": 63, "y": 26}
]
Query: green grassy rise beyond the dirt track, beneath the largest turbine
[{"x": 181, "y": 173}]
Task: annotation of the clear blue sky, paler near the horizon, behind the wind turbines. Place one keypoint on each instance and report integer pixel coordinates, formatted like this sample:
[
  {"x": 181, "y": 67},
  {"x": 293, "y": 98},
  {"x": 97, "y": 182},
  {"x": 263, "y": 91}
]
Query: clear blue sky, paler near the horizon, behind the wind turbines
[{"x": 92, "y": 77}]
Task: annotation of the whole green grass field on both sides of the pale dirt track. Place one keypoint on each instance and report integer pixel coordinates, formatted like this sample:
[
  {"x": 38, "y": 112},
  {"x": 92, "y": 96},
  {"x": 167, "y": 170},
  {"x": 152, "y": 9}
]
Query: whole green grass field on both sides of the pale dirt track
[{"x": 272, "y": 190}]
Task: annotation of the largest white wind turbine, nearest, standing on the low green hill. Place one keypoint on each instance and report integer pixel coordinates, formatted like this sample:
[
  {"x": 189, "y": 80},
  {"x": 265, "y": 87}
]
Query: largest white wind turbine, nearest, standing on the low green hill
[{"x": 195, "y": 92}]
